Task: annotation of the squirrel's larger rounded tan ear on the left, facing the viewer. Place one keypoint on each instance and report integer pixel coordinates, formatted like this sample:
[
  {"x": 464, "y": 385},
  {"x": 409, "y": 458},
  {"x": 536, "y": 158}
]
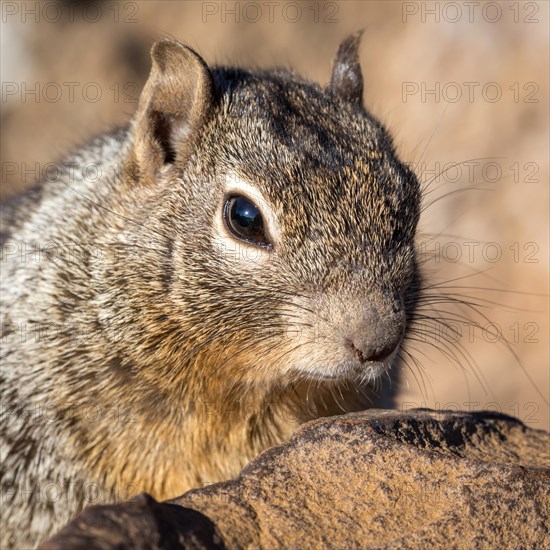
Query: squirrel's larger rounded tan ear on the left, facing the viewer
[{"x": 175, "y": 102}]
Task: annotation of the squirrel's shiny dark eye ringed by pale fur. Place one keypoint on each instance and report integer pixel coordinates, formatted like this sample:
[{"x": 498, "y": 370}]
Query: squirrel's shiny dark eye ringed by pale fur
[{"x": 244, "y": 219}]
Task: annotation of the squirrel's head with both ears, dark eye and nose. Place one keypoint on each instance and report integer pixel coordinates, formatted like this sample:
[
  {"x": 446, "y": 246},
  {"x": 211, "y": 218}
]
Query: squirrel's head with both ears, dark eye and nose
[{"x": 288, "y": 221}]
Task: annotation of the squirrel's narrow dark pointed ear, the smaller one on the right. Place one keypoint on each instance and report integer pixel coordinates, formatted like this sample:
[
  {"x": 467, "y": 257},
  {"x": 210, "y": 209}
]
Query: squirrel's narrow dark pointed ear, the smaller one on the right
[{"x": 347, "y": 80}]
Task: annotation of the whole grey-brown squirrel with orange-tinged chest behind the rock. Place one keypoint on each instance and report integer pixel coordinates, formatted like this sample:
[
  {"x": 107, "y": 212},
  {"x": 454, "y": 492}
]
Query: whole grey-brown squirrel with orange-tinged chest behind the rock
[{"x": 243, "y": 262}]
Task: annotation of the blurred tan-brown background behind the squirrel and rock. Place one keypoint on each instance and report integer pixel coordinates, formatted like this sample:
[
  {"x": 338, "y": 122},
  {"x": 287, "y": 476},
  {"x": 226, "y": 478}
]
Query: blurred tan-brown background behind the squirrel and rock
[{"x": 463, "y": 88}]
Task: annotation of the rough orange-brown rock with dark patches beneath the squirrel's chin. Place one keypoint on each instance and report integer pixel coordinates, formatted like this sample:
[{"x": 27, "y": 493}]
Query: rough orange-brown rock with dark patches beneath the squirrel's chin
[{"x": 376, "y": 479}]
